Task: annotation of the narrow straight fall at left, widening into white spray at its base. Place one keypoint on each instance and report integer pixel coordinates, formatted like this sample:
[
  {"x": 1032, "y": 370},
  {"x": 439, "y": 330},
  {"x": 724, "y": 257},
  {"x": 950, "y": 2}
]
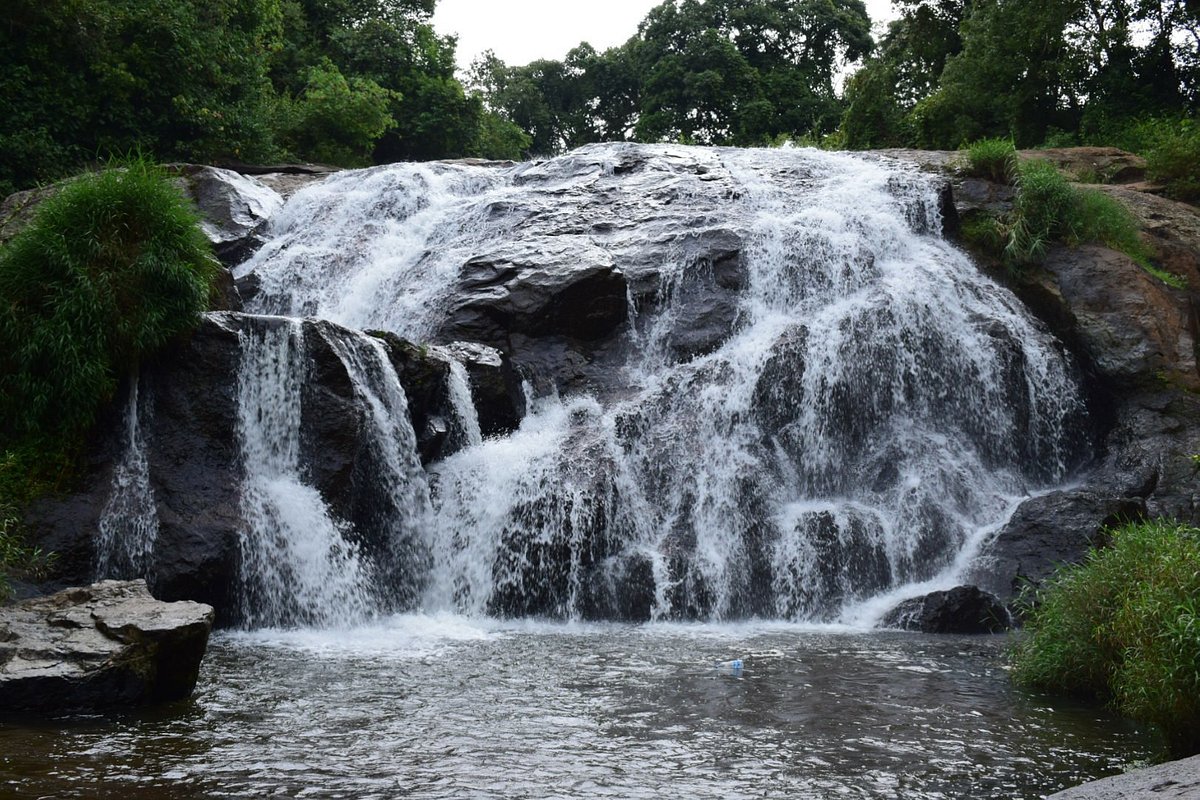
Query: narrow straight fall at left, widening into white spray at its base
[{"x": 298, "y": 566}]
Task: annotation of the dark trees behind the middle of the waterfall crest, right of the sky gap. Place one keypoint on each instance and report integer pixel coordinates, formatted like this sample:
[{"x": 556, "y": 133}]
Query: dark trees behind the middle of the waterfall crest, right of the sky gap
[{"x": 709, "y": 73}]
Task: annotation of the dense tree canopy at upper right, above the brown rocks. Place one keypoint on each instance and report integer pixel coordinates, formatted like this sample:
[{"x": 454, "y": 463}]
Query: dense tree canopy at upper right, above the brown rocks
[{"x": 953, "y": 71}]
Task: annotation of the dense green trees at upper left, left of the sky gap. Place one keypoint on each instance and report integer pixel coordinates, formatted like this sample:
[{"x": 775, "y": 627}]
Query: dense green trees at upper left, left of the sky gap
[{"x": 347, "y": 82}]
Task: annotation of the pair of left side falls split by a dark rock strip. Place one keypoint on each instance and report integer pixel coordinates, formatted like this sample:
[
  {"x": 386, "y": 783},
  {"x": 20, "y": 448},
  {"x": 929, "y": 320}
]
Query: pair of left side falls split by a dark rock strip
[{"x": 302, "y": 566}]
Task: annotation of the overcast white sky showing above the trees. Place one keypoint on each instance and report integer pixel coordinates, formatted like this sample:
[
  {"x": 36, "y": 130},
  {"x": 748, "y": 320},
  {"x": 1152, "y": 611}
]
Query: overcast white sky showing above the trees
[{"x": 521, "y": 32}]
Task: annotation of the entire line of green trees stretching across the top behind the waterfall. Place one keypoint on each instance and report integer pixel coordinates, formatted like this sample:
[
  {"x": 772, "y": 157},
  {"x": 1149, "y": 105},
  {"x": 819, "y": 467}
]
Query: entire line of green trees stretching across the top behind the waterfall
[{"x": 356, "y": 82}]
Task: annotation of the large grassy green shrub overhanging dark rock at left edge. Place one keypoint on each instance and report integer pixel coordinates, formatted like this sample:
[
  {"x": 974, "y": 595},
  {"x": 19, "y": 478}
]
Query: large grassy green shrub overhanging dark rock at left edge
[{"x": 111, "y": 269}]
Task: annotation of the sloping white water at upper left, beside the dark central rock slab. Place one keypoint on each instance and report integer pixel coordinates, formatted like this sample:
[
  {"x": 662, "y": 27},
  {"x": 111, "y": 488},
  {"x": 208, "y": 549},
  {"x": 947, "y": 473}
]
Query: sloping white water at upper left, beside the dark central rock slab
[{"x": 387, "y": 244}]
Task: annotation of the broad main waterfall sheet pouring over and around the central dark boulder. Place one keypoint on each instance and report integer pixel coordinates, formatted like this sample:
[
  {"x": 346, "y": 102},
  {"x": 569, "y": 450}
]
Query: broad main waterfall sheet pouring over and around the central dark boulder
[{"x": 878, "y": 408}]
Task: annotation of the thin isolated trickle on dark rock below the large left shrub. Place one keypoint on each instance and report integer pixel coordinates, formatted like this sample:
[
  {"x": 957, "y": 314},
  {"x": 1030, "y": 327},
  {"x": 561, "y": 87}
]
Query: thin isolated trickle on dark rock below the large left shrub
[{"x": 129, "y": 524}]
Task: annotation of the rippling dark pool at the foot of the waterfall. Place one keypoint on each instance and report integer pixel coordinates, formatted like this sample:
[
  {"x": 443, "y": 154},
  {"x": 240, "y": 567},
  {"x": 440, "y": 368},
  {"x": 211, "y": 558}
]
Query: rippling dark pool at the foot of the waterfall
[{"x": 447, "y": 708}]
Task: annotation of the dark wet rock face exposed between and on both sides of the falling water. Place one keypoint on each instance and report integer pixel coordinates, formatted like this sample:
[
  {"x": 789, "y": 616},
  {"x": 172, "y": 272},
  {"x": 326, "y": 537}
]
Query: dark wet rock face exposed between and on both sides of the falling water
[{"x": 563, "y": 316}]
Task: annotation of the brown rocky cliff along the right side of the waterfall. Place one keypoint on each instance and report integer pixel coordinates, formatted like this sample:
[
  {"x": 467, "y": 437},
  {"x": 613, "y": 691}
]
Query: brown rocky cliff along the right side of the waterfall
[{"x": 1138, "y": 340}]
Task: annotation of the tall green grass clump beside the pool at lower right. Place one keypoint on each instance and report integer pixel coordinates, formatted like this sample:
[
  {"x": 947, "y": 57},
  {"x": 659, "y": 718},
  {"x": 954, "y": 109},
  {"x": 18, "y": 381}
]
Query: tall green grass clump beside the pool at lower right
[{"x": 1125, "y": 628}]
